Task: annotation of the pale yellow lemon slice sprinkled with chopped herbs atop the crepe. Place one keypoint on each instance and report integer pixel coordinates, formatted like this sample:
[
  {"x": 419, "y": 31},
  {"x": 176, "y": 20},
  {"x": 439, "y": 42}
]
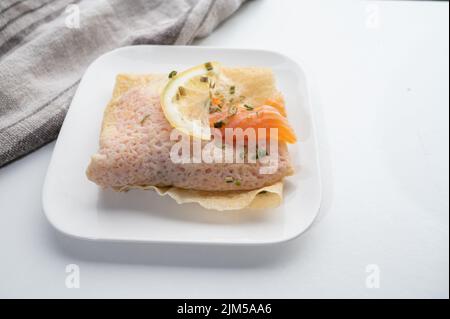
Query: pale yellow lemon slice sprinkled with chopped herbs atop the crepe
[{"x": 186, "y": 98}]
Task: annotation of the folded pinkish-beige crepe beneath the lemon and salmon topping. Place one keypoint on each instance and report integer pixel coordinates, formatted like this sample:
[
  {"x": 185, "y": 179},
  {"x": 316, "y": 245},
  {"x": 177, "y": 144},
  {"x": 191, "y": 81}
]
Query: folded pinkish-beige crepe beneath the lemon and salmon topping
[{"x": 135, "y": 149}]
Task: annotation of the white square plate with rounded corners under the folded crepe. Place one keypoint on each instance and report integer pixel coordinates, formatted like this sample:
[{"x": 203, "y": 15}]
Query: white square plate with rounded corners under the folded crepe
[{"x": 77, "y": 207}]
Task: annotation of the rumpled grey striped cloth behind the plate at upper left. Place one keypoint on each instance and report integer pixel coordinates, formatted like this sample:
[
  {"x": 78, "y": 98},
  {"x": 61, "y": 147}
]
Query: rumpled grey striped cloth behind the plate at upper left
[{"x": 45, "y": 46}]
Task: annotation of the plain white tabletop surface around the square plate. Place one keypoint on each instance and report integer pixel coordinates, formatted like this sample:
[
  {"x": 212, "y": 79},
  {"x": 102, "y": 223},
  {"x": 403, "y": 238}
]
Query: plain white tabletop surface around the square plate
[{"x": 379, "y": 76}]
